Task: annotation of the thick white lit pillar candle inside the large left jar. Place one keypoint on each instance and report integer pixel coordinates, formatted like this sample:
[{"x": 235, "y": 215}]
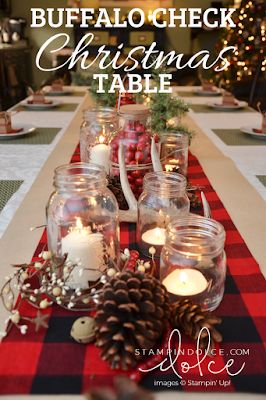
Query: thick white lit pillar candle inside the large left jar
[{"x": 85, "y": 249}]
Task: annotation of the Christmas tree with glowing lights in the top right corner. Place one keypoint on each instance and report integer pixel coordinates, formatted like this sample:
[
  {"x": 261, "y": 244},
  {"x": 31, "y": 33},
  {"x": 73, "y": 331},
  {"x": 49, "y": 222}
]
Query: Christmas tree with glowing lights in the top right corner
[{"x": 250, "y": 41}]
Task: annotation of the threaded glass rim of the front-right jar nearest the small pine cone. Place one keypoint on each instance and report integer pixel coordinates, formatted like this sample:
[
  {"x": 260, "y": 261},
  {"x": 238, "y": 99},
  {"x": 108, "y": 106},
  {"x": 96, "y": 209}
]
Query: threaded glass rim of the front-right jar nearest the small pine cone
[{"x": 194, "y": 235}]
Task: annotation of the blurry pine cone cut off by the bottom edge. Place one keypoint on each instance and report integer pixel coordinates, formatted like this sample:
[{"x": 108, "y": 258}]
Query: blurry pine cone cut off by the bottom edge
[{"x": 125, "y": 389}]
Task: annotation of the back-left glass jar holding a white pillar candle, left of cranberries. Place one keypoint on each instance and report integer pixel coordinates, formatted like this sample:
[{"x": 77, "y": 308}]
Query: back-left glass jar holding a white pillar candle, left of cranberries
[{"x": 97, "y": 130}]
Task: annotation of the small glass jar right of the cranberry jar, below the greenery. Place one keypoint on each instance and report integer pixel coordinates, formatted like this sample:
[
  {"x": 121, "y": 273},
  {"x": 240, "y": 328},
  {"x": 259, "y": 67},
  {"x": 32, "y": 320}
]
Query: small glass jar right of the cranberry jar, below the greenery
[{"x": 174, "y": 151}]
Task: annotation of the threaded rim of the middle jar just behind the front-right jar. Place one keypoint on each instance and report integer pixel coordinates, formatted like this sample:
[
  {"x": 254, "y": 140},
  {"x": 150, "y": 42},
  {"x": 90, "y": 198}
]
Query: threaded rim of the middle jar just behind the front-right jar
[{"x": 166, "y": 183}]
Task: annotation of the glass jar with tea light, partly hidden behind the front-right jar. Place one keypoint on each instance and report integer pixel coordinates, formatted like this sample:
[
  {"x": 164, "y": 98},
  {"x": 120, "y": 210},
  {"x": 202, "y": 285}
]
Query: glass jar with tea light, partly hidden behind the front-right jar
[{"x": 163, "y": 199}]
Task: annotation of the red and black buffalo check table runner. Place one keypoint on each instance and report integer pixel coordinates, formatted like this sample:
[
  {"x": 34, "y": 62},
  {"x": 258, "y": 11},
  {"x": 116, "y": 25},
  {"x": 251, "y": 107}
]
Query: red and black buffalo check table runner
[{"x": 49, "y": 362}]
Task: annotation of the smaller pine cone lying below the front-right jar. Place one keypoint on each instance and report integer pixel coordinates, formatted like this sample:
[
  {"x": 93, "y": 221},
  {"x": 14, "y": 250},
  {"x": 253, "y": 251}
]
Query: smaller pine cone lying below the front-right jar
[{"x": 190, "y": 318}]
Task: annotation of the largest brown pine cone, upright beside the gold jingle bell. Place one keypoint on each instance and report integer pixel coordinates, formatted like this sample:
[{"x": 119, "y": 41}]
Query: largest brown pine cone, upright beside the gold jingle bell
[{"x": 132, "y": 314}]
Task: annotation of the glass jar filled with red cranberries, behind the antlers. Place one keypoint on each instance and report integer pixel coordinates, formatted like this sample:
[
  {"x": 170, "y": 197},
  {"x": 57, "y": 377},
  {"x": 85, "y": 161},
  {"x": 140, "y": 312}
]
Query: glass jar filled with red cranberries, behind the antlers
[{"x": 134, "y": 133}]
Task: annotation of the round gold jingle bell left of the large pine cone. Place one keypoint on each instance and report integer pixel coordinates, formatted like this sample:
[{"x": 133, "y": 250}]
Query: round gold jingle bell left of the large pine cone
[{"x": 83, "y": 330}]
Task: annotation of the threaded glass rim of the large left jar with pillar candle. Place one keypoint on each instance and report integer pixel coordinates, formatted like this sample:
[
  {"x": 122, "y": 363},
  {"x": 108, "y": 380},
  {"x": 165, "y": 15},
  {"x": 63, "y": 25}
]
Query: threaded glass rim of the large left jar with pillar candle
[{"x": 79, "y": 176}]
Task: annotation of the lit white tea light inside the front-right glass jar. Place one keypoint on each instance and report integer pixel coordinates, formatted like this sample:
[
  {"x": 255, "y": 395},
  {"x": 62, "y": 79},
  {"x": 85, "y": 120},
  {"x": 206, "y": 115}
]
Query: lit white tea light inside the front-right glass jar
[{"x": 185, "y": 282}]
